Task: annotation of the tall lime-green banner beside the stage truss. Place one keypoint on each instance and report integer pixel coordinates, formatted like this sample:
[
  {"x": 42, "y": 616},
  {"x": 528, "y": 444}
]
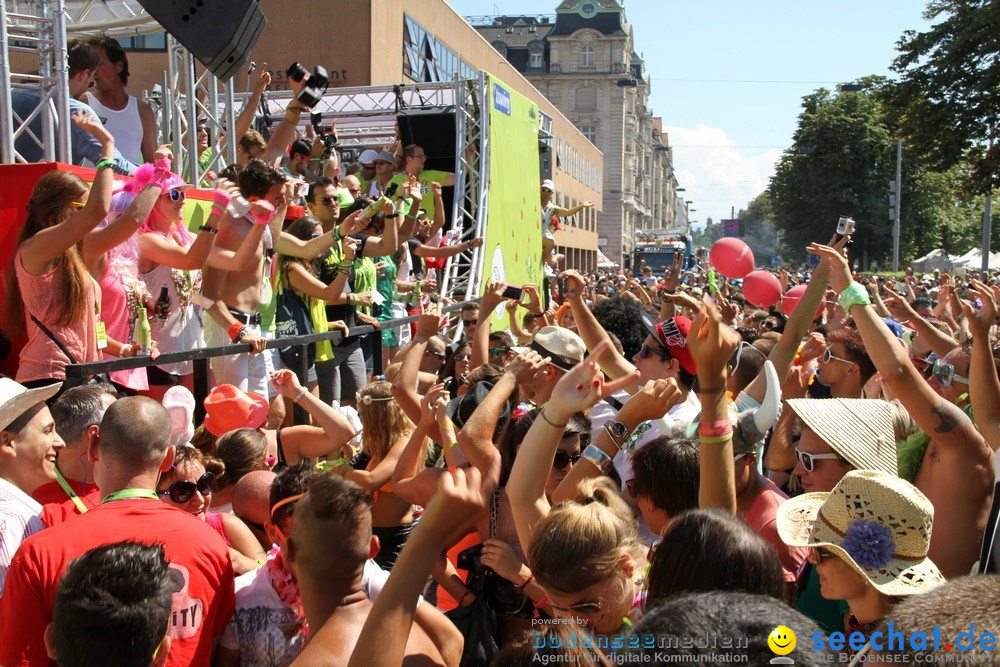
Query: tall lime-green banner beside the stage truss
[{"x": 513, "y": 244}]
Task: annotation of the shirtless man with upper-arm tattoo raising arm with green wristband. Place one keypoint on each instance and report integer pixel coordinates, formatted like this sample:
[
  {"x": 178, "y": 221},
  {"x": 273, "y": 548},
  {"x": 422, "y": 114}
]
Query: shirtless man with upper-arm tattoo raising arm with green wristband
[{"x": 956, "y": 473}]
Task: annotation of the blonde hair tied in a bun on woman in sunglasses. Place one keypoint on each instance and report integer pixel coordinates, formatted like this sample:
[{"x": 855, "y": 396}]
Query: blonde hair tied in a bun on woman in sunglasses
[{"x": 592, "y": 532}]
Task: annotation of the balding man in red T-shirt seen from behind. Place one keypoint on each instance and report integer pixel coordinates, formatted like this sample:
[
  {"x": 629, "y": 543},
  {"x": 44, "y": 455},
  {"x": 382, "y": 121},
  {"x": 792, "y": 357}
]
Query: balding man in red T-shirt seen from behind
[{"x": 128, "y": 459}]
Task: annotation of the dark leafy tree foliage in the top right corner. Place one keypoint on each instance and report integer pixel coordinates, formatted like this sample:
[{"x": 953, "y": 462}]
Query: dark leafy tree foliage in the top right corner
[{"x": 948, "y": 98}]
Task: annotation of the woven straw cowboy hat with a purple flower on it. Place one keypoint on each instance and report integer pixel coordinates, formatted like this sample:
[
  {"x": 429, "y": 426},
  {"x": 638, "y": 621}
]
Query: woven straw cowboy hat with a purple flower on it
[{"x": 875, "y": 522}]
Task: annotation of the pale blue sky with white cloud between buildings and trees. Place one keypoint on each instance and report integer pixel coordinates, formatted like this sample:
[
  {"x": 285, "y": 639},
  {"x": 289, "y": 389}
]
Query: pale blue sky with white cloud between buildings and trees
[{"x": 728, "y": 76}]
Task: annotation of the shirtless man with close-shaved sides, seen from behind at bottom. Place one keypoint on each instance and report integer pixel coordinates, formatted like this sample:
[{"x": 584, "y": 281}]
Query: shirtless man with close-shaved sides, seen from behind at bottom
[{"x": 333, "y": 524}]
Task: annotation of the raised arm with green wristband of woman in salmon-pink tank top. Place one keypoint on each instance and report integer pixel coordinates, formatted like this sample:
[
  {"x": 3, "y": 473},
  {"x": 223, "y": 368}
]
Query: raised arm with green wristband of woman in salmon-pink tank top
[{"x": 38, "y": 252}]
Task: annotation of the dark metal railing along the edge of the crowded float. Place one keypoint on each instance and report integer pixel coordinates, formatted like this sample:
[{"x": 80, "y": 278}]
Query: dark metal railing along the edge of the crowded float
[{"x": 200, "y": 358}]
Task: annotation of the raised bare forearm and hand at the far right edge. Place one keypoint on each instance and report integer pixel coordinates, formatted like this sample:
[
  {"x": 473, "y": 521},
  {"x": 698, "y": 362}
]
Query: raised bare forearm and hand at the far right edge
[{"x": 984, "y": 385}]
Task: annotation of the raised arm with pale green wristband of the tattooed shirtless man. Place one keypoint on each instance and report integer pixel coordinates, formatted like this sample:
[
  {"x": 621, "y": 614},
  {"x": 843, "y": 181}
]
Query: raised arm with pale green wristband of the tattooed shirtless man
[{"x": 939, "y": 418}]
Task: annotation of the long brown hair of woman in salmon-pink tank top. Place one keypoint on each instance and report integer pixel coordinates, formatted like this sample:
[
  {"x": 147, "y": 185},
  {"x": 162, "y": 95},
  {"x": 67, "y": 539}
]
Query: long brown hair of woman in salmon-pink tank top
[{"x": 50, "y": 205}]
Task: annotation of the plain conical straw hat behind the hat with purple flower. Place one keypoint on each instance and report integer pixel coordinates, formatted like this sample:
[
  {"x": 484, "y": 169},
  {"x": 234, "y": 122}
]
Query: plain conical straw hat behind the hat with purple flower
[{"x": 860, "y": 430}]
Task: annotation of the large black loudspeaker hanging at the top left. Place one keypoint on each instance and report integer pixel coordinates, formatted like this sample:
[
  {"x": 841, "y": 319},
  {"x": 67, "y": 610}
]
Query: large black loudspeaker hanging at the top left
[{"x": 220, "y": 34}]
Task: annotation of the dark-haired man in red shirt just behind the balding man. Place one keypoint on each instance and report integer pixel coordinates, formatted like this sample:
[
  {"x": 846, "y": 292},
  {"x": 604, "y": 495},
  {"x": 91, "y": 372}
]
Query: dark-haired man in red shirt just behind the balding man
[{"x": 77, "y": 414}]
